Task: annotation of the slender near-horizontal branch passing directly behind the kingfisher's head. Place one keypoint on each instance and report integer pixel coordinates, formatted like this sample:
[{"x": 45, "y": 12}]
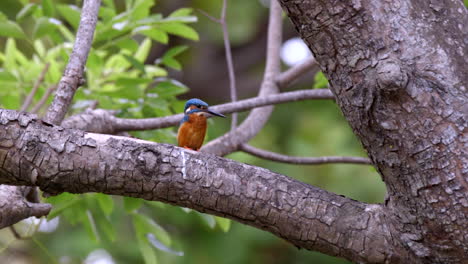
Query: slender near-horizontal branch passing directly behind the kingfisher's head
[{"x": 103, "y": 121}]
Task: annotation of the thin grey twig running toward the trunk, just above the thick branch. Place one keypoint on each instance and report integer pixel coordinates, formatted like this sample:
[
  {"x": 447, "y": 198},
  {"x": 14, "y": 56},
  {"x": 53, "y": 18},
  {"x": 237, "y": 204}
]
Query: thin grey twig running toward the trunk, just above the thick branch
[{"x": 302, "y": 160}]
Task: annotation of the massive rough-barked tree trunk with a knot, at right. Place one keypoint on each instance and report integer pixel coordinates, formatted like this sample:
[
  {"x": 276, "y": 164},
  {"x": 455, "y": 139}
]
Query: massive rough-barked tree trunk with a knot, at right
[{"x": 398, "y": 71}]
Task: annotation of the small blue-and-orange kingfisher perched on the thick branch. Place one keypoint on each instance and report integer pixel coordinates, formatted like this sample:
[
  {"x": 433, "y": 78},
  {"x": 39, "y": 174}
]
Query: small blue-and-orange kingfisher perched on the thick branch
[{"x": 192, "y": 127}]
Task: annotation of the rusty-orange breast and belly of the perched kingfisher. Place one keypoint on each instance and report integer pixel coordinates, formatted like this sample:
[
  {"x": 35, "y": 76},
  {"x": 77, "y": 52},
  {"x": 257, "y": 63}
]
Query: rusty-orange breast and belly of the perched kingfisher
[{"x": 192, "y": 133}]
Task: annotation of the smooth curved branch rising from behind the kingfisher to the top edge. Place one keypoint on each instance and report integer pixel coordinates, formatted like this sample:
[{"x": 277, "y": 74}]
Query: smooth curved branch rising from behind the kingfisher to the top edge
[{"x": 257, "y": 118}]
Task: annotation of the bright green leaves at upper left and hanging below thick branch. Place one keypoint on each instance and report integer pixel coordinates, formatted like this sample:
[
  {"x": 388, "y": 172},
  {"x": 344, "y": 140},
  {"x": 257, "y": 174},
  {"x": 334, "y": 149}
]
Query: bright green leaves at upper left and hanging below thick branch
[{"x": 119, "y": 75}]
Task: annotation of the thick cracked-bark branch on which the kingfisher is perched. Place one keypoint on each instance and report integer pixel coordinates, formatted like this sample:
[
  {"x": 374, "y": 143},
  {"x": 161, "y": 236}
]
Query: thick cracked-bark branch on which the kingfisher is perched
[{"x": 35, "y": 153}]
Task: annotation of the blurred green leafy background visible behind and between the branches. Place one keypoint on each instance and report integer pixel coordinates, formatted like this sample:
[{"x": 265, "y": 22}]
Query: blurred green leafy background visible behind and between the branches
[{"x": 147, "y": 59}]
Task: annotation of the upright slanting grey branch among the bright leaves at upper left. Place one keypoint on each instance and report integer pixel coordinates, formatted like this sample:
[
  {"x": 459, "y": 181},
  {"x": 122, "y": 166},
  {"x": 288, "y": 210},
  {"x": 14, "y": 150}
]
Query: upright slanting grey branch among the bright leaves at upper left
[{"x": 73, "y": 74}]
